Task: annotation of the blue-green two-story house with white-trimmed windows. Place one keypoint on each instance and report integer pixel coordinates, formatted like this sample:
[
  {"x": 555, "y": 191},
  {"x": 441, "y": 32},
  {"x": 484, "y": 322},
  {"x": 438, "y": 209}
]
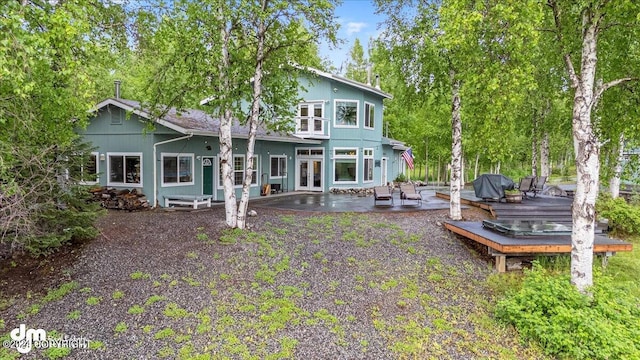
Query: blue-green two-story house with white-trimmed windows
[{"x": 338, "y": 143}]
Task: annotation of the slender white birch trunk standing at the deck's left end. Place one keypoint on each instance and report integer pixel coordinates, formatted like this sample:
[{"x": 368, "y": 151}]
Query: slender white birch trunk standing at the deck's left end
[{"x": 456, "y": 149}]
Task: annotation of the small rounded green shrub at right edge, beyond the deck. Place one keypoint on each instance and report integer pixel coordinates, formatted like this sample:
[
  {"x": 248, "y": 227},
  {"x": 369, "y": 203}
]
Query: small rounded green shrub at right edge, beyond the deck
[{"x": 623, "y": 217}]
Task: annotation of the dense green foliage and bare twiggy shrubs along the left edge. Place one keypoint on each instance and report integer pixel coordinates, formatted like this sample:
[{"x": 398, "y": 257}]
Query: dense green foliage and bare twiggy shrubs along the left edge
[{"x": 52, "y": 52}]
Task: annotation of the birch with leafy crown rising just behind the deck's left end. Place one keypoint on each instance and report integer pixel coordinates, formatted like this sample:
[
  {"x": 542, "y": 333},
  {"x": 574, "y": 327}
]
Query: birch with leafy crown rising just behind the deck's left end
[{"x": 473, "y": 52}]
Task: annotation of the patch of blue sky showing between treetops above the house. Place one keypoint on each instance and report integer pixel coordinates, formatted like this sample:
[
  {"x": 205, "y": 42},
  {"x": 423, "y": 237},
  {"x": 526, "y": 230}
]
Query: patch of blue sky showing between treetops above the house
[{"x": 357, "y": 19}]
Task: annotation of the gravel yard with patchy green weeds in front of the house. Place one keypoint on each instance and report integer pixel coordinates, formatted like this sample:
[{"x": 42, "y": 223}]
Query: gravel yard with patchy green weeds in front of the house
[{"x": 297, "y": 285}]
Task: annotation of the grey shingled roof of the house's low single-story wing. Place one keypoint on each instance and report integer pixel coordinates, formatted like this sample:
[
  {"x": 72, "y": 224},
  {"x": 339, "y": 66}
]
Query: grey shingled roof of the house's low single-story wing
[{"x": 198, "y": 122}]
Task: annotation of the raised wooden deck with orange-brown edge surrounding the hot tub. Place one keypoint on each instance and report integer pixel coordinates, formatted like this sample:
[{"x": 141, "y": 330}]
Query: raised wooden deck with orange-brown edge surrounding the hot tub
[{"x": 540, "y": 208}]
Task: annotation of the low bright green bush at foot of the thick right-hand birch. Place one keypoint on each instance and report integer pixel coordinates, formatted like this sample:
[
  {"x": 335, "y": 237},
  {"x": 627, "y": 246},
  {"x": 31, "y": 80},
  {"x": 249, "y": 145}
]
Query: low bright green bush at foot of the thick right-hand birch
[{"x": 568, "y": 324}]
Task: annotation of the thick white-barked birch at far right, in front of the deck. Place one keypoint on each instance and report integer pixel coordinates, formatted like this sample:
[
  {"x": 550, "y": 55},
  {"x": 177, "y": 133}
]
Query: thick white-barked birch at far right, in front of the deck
[{"x": 579, "y": 27}]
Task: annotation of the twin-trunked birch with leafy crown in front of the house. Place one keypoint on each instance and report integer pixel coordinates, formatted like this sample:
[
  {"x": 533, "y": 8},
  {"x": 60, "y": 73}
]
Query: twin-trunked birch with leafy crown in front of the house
[{"x": 235, "y": 53}]
